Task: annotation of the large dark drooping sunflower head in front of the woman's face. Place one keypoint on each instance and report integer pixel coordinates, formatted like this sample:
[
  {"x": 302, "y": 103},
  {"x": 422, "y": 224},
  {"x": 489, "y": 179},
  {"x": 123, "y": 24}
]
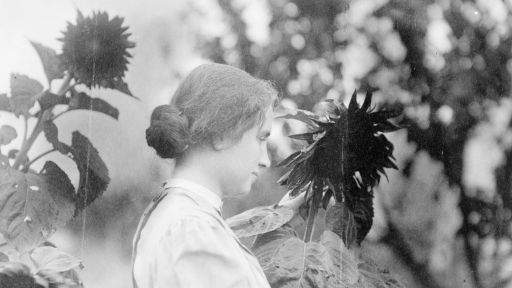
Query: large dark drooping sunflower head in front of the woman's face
[{"x": 345, "y": 158}]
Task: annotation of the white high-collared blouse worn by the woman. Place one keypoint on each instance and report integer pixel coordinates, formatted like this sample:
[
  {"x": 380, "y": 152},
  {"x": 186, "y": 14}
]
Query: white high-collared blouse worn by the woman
[{"x": 186, "y": 243}]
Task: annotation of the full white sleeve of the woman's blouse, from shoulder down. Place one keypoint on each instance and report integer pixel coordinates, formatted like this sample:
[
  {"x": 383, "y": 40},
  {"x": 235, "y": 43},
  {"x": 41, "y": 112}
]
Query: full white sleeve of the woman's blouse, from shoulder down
[{"x": 199, "y": 253}]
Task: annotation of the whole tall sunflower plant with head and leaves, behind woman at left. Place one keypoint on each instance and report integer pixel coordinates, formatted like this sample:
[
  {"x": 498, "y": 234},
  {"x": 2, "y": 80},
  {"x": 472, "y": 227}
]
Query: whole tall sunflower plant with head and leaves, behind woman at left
[{"x": 34, "y": 204}]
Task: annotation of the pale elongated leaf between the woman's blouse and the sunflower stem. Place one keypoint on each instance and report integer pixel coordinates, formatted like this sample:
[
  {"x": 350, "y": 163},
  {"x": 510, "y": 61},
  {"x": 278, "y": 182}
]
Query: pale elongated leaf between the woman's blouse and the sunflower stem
[{"x": 260, "y": 220}]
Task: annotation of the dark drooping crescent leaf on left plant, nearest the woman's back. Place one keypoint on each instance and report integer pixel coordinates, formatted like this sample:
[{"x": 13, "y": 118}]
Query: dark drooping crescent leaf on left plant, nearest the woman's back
[{"x": 94, "y": 177}]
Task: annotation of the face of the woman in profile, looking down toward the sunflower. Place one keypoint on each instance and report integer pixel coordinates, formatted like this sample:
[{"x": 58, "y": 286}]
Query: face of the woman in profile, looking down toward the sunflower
[{"x": 245, "y": 160}]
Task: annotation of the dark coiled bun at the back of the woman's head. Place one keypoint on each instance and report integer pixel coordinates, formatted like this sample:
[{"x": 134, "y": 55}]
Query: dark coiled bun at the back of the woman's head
[{"x": 168, "y": 132}]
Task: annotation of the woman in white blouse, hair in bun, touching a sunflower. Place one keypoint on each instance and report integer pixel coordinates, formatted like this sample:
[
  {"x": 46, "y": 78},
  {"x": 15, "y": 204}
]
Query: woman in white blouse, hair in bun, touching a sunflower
[{"x": 216, "y": 128}]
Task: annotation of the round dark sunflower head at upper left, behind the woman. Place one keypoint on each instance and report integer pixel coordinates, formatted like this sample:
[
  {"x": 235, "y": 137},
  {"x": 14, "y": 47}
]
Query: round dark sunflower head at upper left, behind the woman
[{"x": 95, "y": 50}]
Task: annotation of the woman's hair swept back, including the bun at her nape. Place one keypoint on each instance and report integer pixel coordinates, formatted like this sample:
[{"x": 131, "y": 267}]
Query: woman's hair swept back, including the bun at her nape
[{"x": 214, "y": 101}]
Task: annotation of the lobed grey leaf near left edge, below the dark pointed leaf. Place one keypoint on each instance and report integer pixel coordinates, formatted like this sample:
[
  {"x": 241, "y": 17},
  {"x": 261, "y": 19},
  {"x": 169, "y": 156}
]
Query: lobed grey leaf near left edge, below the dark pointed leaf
[{"x": 24, "y": 91}]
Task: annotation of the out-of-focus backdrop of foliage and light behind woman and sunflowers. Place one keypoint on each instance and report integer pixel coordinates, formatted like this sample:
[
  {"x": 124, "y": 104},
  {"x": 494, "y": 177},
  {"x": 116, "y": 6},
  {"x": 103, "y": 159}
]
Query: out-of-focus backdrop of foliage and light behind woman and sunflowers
[{"x": 442, "y": 220}]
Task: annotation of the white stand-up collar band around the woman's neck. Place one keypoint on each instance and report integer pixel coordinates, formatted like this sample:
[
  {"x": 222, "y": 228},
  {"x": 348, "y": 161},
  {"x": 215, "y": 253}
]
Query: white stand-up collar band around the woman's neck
[{"x": 195, "y": 190}]
